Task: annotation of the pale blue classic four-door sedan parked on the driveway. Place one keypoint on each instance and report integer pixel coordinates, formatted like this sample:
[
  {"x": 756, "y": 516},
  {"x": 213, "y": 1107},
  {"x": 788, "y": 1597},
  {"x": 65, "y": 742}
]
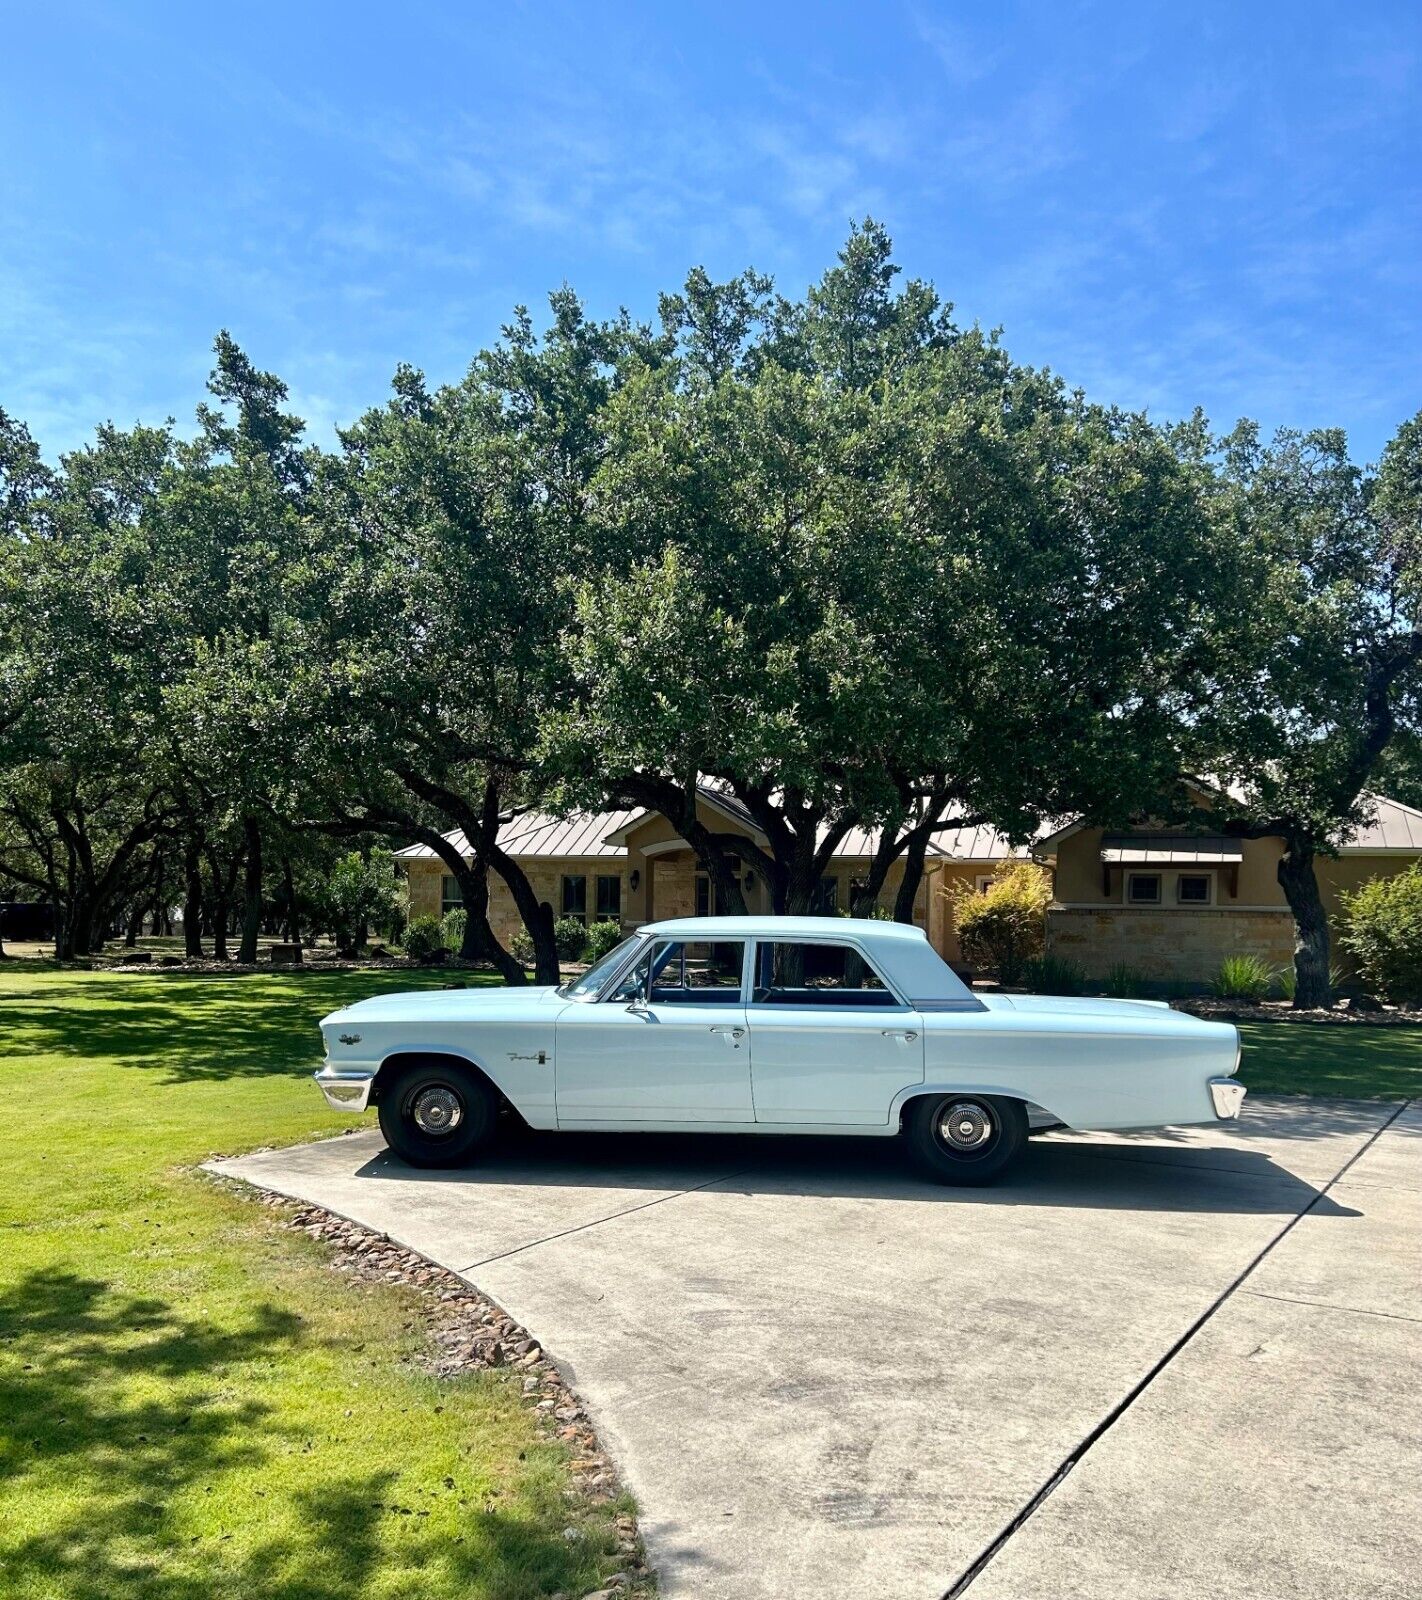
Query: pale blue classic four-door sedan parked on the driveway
[{"x": 775, "y": 1025}]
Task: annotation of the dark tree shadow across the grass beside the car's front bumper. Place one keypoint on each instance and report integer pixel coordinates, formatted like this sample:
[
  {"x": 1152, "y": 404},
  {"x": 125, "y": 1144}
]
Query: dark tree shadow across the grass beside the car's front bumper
[{"x": 194, "y": 1026}]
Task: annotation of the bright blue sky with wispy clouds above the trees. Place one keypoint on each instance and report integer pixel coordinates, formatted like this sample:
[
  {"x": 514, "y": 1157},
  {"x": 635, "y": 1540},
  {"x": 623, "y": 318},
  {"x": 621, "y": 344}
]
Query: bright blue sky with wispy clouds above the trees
[{"x": 1172, "y": 206}]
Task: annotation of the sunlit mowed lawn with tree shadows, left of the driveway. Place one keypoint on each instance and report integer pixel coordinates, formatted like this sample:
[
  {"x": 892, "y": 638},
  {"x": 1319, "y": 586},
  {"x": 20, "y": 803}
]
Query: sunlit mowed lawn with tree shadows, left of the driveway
[{"x": 193, "y": 1406}]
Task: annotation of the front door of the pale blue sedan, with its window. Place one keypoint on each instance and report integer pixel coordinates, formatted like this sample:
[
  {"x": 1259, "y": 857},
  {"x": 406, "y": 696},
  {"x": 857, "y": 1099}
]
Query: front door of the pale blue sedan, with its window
[{"x": 669, "y": 1047}]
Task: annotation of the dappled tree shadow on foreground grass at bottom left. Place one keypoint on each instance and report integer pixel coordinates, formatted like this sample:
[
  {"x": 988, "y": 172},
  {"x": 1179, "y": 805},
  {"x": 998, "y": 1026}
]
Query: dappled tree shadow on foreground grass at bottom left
[{"x": 102, "y": 1468}]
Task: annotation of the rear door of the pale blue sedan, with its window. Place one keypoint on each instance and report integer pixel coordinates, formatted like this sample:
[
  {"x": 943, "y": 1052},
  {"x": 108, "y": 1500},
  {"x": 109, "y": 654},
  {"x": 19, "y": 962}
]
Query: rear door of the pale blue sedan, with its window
[{"x": 829, "y": 1041}]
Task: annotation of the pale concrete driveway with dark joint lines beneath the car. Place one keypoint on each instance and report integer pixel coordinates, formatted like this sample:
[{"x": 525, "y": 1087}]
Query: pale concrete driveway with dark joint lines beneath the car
[{"x": 1170, "y": 1366}]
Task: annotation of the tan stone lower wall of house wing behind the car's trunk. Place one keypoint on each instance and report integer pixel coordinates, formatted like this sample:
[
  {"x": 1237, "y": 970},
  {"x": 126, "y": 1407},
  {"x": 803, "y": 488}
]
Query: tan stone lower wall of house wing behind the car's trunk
[{"x": 1175, "y": 945}]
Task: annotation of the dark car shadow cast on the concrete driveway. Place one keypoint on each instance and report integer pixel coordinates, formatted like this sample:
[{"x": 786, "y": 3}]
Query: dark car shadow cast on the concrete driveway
[{"x": 1069, "y": 1174}]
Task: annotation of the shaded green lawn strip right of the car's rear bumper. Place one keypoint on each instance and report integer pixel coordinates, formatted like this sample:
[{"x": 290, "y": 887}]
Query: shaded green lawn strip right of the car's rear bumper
[{"x": 1333, "y": 1058}]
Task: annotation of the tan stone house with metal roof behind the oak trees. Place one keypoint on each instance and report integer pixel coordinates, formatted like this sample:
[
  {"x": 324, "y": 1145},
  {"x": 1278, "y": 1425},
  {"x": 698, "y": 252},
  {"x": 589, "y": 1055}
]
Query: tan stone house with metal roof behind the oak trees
[{"x": 1167, "y": 903}]
